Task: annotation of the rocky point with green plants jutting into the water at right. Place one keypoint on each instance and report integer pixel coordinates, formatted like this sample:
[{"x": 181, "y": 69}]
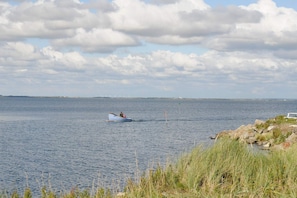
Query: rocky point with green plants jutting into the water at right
[{"x": 276, "y": 133}]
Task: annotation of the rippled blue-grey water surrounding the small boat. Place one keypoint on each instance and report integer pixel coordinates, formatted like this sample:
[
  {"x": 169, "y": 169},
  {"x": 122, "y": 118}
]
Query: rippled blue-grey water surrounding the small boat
[{"x": 67, "y": 142}]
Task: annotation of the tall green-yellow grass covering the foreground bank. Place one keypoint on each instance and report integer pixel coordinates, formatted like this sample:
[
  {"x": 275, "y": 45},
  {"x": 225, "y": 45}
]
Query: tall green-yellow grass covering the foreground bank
[{"x": 226, "y": 169}]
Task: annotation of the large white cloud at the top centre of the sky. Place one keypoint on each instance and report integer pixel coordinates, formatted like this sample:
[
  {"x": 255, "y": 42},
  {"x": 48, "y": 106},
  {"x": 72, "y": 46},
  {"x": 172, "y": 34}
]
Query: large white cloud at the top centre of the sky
[{"x": 145, "y": 19}]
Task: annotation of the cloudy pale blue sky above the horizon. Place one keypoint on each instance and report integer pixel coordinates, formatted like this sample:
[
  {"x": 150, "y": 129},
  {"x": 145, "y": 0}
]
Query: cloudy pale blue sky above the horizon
[{"x": 149, "y": 48}]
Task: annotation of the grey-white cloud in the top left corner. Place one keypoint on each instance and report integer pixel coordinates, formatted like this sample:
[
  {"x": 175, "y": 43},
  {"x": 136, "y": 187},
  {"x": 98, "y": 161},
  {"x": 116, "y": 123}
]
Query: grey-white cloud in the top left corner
[{"x": 47, "y": 19}]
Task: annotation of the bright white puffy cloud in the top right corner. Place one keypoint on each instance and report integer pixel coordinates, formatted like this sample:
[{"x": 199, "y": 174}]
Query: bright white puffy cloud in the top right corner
[{"x": 274, "y": 31}]
